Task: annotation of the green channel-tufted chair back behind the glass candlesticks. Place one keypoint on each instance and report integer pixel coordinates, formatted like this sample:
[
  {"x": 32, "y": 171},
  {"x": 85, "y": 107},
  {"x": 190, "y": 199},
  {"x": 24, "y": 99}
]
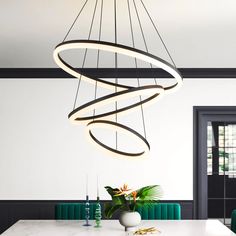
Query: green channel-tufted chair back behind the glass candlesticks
[{"x": 73, "y": 211}]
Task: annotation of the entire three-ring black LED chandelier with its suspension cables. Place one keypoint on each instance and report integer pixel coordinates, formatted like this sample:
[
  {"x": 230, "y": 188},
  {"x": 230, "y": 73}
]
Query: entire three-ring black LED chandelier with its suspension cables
[{"x": 123, "y": 91}]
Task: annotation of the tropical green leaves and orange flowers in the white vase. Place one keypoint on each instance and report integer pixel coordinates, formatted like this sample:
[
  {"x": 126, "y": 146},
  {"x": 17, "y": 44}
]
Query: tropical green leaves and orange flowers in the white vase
[{"x": 127, "y": 199}]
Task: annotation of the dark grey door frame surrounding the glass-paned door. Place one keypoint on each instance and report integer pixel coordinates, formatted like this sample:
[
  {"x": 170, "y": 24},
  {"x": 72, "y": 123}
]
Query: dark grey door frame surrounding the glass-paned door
[{"x": 201, "y": 115}]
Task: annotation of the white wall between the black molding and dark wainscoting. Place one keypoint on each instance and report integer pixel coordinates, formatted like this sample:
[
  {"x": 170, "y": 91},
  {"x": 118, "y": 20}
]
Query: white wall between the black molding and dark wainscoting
[{"x": 43, "y": 156}]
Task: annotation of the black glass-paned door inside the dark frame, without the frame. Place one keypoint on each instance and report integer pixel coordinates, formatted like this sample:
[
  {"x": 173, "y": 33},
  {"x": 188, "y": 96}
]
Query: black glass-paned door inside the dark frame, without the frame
[{"x": 221, "y": 169}]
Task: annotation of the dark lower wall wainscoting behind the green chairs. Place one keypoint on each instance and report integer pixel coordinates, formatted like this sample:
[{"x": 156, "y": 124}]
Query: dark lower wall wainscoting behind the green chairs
[{"x": 13, "y": 210}]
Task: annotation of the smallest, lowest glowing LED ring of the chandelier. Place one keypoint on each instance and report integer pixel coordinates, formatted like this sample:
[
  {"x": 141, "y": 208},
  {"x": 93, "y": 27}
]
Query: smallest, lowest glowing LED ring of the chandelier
[{"x": 105, "y": 124}]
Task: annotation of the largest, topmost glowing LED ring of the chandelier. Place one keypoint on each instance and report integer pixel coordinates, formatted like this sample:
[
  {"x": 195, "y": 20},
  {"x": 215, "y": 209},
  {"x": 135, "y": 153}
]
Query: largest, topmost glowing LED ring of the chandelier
[{"x": 116, "y": 48}]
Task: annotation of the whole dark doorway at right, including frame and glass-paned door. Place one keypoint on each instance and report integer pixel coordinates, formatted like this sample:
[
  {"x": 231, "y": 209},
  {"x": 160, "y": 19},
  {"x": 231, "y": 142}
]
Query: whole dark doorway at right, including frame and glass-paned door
[{"x": 214, "y": 162}]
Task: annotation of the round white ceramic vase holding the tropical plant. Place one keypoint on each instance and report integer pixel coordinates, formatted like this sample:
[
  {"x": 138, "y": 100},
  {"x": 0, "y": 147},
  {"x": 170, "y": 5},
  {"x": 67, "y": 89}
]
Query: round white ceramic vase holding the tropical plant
[{"x": 130, "y": 219}]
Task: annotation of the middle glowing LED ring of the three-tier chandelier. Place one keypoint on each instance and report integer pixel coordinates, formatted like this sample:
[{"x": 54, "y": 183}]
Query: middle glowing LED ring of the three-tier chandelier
[{"x": 79, "y": 114}]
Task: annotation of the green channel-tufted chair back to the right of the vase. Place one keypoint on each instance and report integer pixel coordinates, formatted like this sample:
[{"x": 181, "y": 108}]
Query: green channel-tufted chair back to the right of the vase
[{"x": 162, "y": 211}]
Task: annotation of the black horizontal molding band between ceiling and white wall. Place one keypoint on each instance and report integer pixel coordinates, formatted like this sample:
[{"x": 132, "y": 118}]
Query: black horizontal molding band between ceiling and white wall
[{"x": 57, "y": 73}]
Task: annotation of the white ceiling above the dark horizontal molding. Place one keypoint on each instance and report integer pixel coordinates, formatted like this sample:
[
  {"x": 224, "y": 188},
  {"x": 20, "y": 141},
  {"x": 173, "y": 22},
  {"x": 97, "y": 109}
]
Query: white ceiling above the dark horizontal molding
[{"x": 198, "y": 33}]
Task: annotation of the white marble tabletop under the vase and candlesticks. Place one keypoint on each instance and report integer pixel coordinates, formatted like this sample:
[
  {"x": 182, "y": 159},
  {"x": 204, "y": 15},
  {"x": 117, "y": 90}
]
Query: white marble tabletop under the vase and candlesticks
[{"x": 112, "y": 227}]
